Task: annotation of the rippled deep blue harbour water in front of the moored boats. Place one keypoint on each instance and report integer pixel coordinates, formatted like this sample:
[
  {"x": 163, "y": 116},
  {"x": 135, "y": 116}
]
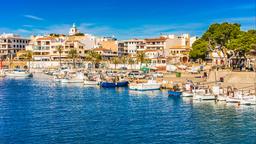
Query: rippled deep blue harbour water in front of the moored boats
[{"x": 40, "y": 111}]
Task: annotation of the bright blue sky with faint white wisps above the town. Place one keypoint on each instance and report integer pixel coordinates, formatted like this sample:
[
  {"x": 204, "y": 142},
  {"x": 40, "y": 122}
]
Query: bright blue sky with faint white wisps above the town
[{"x": 124, "y": 19}]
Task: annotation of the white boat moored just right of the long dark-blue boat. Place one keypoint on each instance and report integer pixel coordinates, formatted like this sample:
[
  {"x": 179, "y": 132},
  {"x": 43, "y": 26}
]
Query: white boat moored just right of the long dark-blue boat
[{"x": 150, "y": 85}]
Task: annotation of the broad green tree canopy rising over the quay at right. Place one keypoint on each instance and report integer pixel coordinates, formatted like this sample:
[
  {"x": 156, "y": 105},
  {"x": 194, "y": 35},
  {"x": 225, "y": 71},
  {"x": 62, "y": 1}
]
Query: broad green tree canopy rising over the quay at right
[{"x": 226, "y": 37}]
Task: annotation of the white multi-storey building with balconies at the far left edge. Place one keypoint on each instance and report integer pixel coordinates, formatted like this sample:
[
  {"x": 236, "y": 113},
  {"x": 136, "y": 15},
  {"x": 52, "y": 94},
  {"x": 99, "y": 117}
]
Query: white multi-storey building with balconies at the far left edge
[{"x": 10, "y": 44}]
